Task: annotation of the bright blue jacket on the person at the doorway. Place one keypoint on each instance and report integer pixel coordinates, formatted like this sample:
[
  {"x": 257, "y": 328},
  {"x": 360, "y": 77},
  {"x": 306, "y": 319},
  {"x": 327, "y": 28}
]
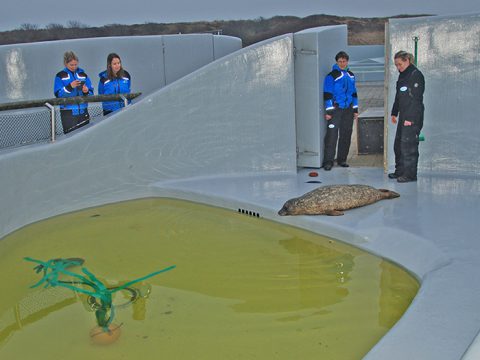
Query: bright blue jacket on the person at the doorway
[{"x": 339, "y": 90}]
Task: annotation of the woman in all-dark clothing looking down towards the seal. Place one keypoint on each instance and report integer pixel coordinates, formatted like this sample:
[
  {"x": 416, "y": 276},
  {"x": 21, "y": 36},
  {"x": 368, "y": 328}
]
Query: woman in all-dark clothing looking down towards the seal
[{"x": 409, "y": 103}]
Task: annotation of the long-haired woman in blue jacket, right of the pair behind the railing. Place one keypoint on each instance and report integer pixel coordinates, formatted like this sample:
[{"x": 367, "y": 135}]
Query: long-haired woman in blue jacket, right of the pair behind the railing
[{"x": 114, "y": 80}]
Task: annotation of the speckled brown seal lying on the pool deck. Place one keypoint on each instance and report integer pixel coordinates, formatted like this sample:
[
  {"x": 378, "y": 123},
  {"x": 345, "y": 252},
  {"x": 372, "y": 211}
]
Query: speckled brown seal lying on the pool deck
[{"x": 333, "y": 199}]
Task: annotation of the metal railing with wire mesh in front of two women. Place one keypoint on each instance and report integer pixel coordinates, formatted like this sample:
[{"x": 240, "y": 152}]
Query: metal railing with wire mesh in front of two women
[{"x": 19, "y": 125}]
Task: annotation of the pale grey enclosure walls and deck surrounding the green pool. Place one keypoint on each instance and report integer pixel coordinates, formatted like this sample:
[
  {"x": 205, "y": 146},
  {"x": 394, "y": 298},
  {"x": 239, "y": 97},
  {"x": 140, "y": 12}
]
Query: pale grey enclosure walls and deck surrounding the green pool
[{"x": 226, "y": 135}]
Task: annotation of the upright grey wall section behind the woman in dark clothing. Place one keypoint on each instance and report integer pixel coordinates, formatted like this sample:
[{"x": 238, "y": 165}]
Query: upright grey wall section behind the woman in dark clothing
[{"x": 448, "y": 52}]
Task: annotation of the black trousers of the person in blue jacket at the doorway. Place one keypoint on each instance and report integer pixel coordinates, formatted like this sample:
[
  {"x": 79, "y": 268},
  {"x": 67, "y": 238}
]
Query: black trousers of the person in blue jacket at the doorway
[{"x": 339, "y": 127}]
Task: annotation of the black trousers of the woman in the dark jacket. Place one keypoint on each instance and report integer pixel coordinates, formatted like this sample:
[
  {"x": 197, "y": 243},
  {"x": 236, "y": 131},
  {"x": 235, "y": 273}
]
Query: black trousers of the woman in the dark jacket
[{"x": 405, "y": 148}]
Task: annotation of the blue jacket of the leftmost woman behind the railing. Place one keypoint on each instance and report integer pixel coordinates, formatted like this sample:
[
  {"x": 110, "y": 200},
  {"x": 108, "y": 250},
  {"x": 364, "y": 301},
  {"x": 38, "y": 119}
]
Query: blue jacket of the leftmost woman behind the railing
[{"x": 62, "y": 88}]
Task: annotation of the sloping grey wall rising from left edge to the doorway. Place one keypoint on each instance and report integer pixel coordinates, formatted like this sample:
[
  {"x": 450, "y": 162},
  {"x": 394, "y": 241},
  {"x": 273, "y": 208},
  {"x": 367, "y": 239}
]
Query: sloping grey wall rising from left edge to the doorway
[{"x": 235, "y": 115}]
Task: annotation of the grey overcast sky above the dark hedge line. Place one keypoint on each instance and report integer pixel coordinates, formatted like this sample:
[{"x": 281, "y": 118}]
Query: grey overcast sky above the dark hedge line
[{"x": 100, "y": 12}]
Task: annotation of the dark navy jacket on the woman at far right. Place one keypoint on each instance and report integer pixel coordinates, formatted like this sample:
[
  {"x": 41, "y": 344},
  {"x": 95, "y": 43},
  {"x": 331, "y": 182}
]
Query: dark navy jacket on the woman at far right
[{"x": 409, "y": 96}]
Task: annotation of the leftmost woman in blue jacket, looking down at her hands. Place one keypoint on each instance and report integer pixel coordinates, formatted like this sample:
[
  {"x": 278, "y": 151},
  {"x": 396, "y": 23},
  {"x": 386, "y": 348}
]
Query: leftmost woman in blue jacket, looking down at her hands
[{"x": 72, "y": 81}]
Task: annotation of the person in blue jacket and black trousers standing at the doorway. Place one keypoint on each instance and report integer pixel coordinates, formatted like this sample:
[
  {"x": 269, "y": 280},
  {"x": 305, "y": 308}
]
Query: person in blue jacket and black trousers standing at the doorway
[{"x": 341, "y": 107}]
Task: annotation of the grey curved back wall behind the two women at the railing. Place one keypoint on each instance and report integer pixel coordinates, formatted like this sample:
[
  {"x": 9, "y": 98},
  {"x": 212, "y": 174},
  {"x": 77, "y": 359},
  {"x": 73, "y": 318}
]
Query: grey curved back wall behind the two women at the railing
[{"x": 27, "y": 71}]
